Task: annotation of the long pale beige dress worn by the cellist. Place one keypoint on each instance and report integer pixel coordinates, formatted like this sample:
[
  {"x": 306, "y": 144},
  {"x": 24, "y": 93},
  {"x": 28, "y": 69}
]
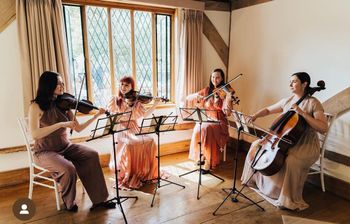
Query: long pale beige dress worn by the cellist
[{"x": 285, "y": 188}]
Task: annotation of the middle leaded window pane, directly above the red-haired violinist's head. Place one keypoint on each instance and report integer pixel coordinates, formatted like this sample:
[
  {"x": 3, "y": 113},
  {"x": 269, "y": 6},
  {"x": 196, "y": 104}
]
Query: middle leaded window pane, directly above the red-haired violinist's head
[{"x": 121, "y": 37}]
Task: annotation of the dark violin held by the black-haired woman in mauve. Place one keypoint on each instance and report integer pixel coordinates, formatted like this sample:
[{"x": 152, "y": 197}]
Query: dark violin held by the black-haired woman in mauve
[{"x": 67, "y": 102}]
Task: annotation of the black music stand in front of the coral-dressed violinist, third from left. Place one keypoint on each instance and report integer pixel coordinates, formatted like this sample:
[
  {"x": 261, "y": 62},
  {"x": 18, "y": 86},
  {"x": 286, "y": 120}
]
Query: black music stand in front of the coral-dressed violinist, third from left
[{"x": 199, "y": 116}]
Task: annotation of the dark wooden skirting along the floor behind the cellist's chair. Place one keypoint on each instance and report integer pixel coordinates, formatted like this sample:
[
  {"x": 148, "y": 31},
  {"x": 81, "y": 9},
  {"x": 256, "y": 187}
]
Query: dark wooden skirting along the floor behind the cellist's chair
[{"x": 332, "y": 184}]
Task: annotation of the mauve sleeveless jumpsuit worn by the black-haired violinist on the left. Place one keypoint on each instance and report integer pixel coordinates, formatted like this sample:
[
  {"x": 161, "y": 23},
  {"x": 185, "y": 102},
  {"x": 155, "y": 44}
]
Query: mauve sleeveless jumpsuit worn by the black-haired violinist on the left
[{"x": 65, "y": 160}]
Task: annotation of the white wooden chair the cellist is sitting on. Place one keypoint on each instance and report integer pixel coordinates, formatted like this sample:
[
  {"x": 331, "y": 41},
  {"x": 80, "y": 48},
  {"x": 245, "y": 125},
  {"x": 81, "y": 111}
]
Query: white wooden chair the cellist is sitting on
[{"x": 318, "y": 167}]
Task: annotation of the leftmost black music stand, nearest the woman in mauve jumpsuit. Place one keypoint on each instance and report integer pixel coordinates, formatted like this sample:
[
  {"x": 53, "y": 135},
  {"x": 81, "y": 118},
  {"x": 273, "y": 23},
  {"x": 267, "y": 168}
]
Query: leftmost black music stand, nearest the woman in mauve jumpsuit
[{"x": 110, "y": 125}]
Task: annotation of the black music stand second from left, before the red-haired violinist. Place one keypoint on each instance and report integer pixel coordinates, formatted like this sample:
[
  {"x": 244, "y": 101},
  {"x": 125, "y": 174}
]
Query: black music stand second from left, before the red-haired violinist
[{"x": 157, "y": 125}]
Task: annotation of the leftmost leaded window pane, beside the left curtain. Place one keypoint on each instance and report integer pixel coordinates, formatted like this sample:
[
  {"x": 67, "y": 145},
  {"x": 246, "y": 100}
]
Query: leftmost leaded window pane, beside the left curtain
[{"x": 76, "y": 56}]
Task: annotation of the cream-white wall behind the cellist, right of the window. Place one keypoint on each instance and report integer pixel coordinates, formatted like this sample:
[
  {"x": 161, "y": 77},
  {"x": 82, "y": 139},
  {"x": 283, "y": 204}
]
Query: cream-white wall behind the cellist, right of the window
[{"x": 271, "y": 41}]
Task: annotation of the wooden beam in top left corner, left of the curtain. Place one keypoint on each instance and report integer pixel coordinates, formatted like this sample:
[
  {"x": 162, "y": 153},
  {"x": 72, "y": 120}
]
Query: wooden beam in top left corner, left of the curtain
[{"x": 7, "y": 13}]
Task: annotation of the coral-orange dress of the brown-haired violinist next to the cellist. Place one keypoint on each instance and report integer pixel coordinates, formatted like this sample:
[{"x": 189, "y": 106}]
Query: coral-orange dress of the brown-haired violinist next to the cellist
[{"x": 214, "y": 135}]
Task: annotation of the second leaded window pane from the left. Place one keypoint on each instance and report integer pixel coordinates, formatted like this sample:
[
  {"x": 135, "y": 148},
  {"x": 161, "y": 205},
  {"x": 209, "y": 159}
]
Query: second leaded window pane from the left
[{"x": 97, "y": 26}]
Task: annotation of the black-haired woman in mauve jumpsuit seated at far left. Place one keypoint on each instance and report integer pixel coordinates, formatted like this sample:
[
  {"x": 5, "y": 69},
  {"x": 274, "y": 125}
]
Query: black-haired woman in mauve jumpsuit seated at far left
[{"x": 53, "y": 150}]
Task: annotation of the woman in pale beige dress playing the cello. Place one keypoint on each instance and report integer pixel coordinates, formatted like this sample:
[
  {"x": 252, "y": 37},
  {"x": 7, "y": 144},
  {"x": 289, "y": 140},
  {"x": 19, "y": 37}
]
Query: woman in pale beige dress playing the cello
[{"x": 284, "y": 189}]
